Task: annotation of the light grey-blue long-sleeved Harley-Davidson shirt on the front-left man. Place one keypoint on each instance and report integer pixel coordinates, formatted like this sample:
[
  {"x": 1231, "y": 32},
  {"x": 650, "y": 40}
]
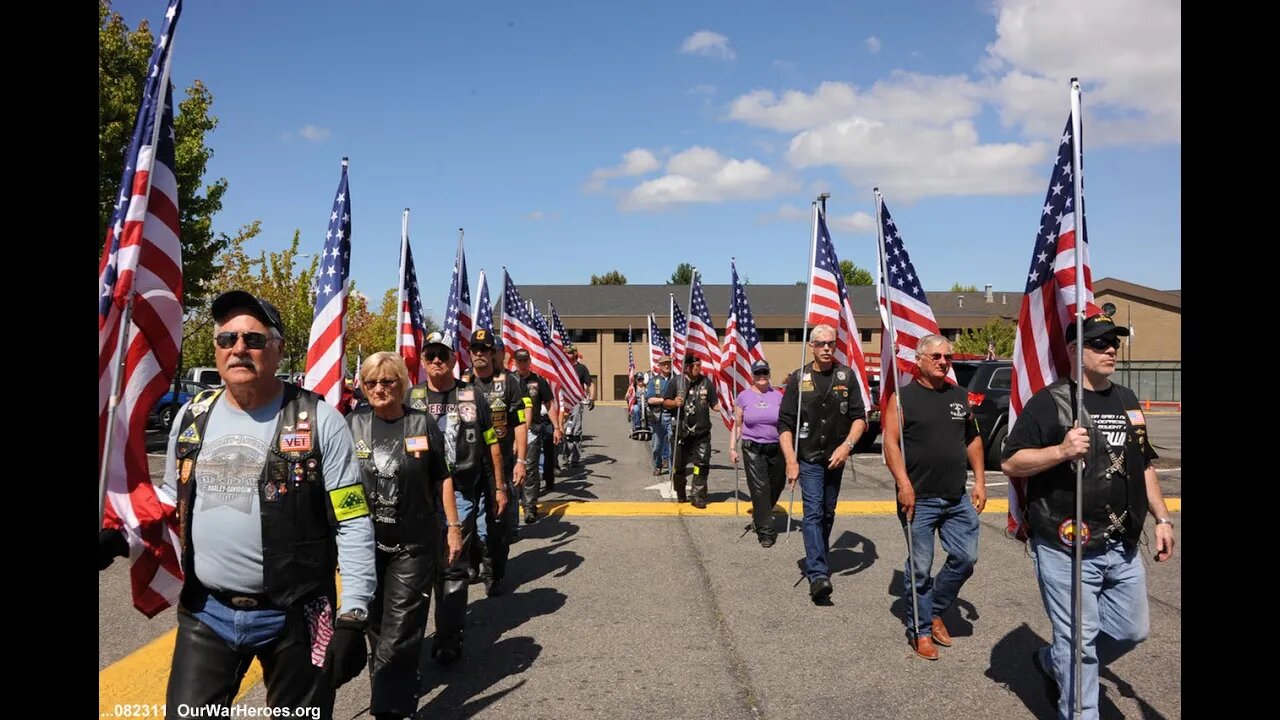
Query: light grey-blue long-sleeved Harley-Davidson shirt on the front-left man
[{"x": 226, "y": 523}]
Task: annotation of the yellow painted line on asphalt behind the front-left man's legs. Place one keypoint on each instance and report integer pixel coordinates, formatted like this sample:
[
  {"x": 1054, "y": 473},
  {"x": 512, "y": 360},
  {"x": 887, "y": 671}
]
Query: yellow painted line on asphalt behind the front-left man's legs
[{"x": 143, "y": 677}]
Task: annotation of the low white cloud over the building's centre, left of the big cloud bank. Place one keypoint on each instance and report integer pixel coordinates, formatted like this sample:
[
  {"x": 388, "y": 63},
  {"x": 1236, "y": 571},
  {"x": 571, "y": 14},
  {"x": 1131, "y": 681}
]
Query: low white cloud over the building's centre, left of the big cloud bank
[{"x": 701, "y": 175}]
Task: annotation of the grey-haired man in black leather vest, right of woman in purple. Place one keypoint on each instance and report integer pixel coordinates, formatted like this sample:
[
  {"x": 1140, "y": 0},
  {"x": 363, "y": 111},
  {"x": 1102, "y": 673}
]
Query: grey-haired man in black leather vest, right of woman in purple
[{"x": 817, "y": 440}]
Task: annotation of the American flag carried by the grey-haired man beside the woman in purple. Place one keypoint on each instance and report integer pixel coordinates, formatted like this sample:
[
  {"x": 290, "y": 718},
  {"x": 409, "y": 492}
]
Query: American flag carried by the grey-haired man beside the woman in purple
[{"x": 829, "y": 304}]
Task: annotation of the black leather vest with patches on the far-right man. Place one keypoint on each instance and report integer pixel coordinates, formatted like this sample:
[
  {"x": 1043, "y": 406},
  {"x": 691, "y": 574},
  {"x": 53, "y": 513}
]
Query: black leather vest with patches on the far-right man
[{"x": 1052, "y": 502}]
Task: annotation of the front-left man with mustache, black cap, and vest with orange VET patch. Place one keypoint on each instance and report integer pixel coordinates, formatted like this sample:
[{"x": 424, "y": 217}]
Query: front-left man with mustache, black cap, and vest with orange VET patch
[{"x": 269, "y": 502}]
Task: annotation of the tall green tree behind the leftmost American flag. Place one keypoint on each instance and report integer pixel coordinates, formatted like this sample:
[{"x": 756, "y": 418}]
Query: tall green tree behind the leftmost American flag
[{"x": 122, "y": 71}]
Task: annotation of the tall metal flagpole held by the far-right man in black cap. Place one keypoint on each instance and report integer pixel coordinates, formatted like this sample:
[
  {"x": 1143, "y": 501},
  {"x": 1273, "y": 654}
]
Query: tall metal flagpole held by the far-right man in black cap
[{"x": 1078, "y": 541}]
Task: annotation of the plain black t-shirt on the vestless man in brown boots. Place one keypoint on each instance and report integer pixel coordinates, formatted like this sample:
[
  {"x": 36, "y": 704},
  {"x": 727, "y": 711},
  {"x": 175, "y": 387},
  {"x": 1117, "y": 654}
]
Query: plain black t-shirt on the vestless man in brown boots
[{"x": 938, "y": 427}]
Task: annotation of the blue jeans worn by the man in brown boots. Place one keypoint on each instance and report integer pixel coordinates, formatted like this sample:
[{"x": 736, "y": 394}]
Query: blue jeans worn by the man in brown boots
[{"x": 957, "y": 525}]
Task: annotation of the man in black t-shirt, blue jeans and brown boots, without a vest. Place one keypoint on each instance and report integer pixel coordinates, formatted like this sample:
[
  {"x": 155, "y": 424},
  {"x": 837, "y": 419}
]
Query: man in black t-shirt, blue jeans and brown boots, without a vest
[{"x": 939, "y": 438}]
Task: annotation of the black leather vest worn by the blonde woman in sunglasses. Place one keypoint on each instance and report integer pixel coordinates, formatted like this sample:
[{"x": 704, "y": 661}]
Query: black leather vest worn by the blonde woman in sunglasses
[{"x": 410, "y": 523}]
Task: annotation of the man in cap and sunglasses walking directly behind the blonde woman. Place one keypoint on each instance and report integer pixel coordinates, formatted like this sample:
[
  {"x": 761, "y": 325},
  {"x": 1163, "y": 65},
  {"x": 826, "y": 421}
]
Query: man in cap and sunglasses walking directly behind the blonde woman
[{"x": 472, "y": 449}]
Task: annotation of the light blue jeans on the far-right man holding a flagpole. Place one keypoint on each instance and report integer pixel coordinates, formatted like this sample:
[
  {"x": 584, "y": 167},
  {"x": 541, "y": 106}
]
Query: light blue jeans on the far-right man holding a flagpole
[{"x": 1114, "y": 599}]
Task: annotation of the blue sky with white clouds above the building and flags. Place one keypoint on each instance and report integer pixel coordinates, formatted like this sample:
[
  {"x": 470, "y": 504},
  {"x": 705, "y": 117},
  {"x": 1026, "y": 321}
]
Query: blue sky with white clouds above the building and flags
[{"x": 578, "y": 138}]
